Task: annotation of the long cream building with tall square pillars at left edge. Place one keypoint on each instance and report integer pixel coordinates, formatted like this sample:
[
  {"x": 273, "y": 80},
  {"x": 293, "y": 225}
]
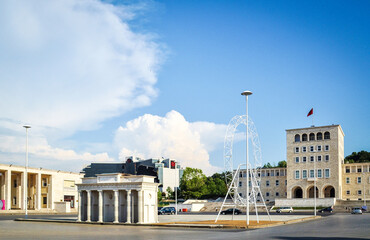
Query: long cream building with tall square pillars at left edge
[{"x": 50, "y": 190}]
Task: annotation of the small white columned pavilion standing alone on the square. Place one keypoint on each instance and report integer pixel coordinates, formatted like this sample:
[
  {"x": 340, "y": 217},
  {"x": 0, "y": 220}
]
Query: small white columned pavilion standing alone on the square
[{"x": 118, "y": 198}]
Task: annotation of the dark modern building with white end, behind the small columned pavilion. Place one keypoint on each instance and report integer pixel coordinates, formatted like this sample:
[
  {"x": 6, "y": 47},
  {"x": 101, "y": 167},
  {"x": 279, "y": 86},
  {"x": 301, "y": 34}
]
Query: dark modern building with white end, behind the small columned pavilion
[{"x": 167, "y": 171}]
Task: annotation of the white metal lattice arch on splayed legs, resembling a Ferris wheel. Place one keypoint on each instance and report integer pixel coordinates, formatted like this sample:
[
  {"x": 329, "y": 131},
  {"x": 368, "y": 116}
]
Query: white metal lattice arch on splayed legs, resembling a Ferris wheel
[{"x": 232, "y": 176}]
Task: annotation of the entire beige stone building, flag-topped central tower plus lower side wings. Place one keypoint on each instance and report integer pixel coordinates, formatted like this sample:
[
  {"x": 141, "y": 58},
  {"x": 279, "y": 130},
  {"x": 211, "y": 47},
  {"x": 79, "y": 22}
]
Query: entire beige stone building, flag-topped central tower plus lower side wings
[{"x": 315, "y": 156}]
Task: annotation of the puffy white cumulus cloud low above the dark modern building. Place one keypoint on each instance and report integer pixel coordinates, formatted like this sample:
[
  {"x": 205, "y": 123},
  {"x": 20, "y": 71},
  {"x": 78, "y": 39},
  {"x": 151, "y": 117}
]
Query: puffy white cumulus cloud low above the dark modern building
[{"x": 171, "y": 136}]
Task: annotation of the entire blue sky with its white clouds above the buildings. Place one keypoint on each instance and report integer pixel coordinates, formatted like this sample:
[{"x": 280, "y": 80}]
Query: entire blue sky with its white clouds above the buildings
[{"x": 100, "y": 80}]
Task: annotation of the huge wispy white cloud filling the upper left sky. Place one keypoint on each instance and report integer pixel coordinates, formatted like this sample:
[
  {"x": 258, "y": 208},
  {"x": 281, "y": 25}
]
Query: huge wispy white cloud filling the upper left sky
[{"x": 67, "y": 66}]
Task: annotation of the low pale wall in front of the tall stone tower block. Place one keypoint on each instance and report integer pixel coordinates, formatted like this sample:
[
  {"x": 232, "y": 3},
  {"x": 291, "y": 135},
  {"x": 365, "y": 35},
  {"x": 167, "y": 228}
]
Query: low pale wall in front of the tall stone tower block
[{"x": 304, "y": 202}]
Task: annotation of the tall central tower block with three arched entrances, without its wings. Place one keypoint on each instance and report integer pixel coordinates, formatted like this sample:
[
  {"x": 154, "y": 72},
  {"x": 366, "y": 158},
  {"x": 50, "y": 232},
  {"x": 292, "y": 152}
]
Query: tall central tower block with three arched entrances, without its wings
[{"x": 315, "y": 153}]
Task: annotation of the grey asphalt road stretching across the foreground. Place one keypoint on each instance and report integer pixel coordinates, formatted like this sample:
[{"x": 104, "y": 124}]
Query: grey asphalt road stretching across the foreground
[{"x": 339, "y": 226}]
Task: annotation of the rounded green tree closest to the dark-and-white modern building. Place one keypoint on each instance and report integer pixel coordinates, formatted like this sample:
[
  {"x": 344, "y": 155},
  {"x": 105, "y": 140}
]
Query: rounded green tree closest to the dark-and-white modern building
[{"x": 193, "y": 183}]
